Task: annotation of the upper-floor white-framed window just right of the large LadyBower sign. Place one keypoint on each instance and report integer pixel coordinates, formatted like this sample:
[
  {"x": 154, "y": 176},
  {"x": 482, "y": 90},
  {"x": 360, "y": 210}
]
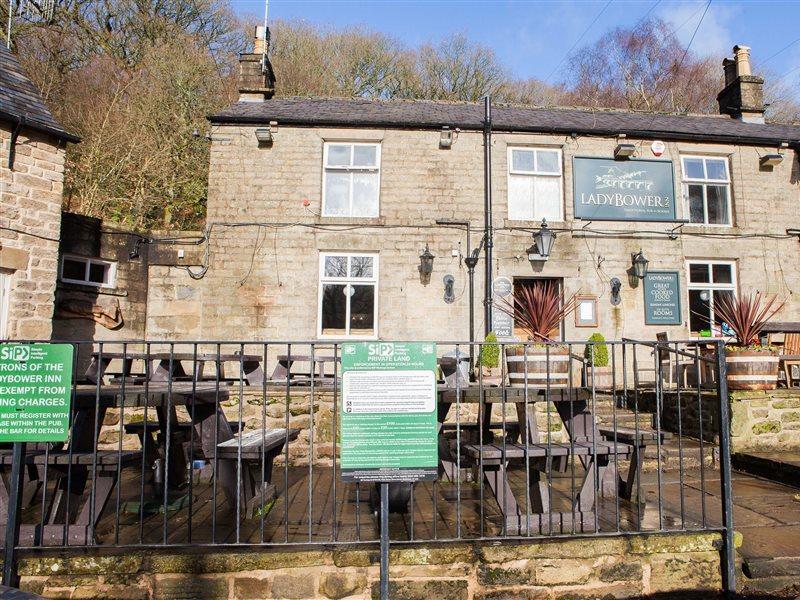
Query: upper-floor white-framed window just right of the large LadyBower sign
[{"x": 707, "y": 189}]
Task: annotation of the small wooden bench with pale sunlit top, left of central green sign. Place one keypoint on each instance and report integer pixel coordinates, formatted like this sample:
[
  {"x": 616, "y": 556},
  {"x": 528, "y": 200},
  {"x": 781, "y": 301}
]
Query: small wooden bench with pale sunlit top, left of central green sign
[{"x": 257, "y": 450}]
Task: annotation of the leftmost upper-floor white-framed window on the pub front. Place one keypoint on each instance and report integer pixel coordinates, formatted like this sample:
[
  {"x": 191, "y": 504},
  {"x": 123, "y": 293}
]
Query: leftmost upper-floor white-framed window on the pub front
[{"x": 351, "y": 179}]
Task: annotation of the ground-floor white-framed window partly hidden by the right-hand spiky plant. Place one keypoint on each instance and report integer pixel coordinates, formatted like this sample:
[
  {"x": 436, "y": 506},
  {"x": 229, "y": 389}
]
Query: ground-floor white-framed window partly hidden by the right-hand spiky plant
[{"x": 708, "y": 281}]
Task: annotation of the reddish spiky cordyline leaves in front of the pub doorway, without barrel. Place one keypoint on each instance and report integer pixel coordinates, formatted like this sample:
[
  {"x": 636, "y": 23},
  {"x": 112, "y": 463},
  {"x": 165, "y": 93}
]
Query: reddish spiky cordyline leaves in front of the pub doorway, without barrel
[{"x": 537, "y": 309}]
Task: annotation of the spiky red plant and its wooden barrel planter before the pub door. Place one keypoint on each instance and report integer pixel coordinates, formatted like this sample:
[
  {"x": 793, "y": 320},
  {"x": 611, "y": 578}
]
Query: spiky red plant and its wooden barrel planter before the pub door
[{"x": 538, "y": 311}]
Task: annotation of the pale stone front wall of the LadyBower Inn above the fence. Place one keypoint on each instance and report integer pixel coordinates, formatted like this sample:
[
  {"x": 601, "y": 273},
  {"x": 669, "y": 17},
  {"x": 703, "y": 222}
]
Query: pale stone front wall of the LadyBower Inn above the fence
[{"x": 263, "y": 269}]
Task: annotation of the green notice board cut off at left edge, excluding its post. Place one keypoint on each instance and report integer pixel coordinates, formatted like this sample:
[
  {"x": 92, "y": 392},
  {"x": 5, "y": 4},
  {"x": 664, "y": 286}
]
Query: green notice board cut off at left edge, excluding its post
[{"x": 35, "y": 391}]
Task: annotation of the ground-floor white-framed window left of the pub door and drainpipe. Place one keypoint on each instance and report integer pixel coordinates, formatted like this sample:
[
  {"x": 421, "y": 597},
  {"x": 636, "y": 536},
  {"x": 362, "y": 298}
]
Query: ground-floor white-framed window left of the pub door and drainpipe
[{"x": 348, "y": 295}]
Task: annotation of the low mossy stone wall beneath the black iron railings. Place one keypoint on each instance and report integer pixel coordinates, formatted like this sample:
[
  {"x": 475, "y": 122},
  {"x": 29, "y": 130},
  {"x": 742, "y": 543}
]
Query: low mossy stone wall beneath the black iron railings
[{"x": 613, "y": 567}]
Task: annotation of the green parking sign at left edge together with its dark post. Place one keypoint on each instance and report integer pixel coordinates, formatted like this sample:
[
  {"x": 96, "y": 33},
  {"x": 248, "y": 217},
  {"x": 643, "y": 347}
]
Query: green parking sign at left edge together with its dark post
[{"x": 35, "y": 393}]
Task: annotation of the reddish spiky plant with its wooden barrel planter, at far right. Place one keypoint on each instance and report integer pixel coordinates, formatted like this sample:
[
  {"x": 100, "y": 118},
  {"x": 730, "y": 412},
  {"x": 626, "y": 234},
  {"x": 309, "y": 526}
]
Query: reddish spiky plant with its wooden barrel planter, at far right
[{"x": 751, "y": 365}]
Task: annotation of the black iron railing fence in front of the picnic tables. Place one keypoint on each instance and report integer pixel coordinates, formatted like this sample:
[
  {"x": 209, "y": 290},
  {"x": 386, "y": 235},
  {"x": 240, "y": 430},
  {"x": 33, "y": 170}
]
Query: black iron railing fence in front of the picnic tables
[{"x": 198, "y": 443}]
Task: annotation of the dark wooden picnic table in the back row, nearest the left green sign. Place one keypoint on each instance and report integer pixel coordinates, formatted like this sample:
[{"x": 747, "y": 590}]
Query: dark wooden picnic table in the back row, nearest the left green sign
[{"x": 165, "y": 366}]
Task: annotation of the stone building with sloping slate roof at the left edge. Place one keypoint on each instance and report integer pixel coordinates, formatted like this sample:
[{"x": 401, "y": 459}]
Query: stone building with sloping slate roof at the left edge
[{"x": 31, "y": 184}]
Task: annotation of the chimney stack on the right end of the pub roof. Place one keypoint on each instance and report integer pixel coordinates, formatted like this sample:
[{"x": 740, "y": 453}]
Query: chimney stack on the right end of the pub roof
[{"x": 743, "y": 95}]
